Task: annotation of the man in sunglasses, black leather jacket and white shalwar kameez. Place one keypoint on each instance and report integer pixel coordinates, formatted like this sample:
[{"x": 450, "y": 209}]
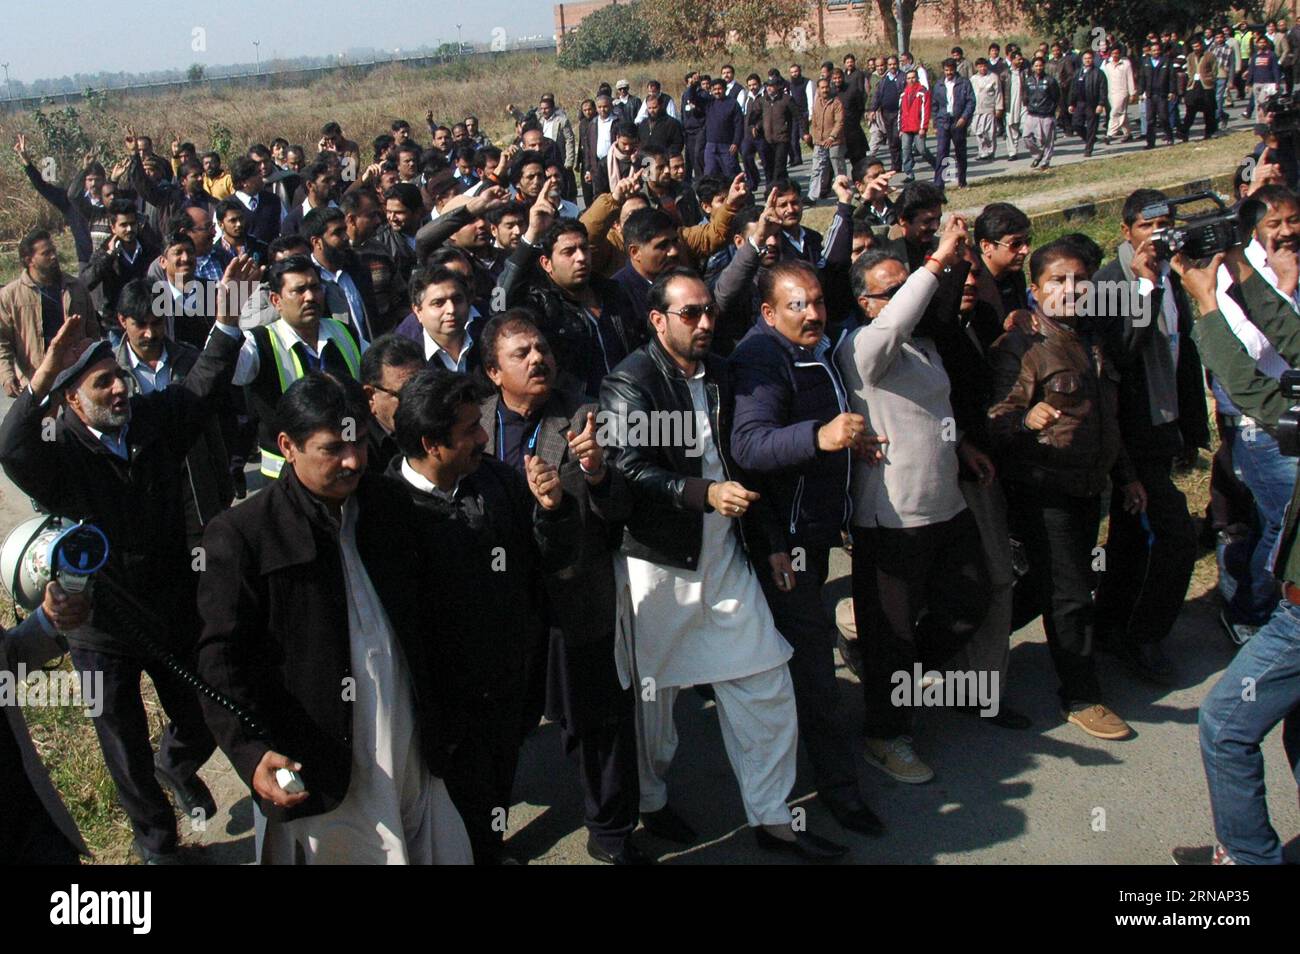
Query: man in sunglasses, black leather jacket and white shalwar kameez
[{"x": 708, "y": 622}]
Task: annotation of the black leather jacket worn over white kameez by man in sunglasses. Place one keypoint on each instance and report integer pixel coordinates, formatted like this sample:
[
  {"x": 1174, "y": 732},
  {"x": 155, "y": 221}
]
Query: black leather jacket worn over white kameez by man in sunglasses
[{"x": 670, "y": 496}]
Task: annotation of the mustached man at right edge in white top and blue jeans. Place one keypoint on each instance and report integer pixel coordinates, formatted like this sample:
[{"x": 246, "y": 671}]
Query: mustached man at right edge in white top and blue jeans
[{"x": 1273, "y": 216}]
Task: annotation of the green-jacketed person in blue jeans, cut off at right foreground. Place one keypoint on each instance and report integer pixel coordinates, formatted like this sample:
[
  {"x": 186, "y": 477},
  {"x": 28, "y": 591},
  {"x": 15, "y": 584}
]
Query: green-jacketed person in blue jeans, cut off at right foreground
[{"x": 1232, "y": 732}]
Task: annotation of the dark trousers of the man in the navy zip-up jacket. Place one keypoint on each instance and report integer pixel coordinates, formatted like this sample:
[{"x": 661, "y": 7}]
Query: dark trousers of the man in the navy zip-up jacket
[{"x": 803, "y": 619}]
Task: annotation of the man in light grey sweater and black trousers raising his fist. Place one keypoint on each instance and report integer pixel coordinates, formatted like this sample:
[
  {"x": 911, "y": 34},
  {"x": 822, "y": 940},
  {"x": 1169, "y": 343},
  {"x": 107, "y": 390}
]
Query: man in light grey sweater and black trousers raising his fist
[{"x": 920, "y": 579}]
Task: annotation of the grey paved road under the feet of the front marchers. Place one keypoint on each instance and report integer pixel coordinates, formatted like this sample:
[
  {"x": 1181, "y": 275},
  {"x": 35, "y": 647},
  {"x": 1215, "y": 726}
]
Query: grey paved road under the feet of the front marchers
[{"x": 998, "y": 796}]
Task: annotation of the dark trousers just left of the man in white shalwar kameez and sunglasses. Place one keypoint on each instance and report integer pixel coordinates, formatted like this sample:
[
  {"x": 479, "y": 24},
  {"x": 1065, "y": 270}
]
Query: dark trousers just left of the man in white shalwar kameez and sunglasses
[{"x": 597, "y": 717}]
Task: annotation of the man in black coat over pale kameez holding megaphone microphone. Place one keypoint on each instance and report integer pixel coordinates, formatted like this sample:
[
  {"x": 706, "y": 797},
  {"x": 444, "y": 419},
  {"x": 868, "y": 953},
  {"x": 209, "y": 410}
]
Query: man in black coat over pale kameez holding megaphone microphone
[{"x": 292, "y": 599}]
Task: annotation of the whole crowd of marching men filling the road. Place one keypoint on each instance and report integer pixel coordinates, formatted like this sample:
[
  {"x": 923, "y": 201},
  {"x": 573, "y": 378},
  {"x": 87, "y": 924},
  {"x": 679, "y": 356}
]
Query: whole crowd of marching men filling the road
[{"x": 519, "y": 459}]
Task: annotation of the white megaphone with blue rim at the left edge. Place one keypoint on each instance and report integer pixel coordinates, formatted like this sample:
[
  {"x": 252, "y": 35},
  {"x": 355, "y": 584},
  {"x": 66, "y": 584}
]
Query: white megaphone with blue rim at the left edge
[{"x": 50, "y": 548}]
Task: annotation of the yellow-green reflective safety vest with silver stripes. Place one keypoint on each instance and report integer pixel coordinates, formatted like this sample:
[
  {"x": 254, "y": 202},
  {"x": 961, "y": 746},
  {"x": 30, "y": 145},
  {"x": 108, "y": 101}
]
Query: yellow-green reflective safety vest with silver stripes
[{"x": 276, "y": 352}]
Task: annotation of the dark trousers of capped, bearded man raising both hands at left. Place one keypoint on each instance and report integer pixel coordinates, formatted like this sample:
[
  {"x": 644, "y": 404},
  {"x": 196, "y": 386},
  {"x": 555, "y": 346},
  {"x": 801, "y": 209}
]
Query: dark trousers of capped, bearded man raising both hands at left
[{"x": 124, "y": 736}]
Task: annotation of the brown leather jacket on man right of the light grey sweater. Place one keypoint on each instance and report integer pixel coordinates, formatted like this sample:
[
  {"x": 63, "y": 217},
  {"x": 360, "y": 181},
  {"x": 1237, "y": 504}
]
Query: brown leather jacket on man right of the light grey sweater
[{"x": 1078, "y": 452}]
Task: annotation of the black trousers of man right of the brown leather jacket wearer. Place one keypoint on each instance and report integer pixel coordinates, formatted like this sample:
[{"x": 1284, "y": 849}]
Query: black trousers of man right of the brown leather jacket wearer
[{"x": 1150, "y": 561}]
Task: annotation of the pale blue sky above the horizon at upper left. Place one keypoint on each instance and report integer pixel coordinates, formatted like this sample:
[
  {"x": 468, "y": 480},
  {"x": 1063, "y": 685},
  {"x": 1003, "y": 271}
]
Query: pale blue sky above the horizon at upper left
[{"x": 54, "y": 38}]
